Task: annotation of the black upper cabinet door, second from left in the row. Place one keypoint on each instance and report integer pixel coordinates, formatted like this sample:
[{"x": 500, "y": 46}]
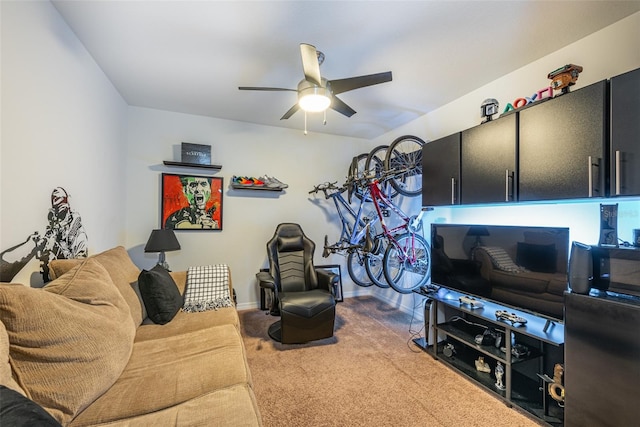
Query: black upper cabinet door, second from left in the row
[{"x": 488, "y": 161}]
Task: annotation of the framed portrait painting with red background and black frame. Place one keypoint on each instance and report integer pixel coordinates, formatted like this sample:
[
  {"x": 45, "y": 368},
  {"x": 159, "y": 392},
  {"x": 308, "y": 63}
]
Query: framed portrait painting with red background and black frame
[{"x": 191, "y": 202}]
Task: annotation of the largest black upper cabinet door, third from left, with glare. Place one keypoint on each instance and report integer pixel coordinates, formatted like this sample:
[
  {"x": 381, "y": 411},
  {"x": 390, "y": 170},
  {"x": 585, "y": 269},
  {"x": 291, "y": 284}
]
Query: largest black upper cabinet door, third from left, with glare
[{"x": 562, "y": 146}]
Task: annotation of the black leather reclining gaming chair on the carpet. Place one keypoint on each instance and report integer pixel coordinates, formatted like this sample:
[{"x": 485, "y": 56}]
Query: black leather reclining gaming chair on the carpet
[{"x": 302, "y": 293}]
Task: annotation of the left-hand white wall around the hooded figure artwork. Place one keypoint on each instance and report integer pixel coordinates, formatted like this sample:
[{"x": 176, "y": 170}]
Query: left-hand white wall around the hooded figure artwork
[{"x": 63, "y": 124}]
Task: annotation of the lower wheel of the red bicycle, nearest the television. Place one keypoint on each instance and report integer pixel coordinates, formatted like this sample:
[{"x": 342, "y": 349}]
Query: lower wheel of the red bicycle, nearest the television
[{"x": 406, "y": 265}]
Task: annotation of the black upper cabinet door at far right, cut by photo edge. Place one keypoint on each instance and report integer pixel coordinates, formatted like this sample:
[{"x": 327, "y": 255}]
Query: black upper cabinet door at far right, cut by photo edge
[{"x": 625, "y": 134}]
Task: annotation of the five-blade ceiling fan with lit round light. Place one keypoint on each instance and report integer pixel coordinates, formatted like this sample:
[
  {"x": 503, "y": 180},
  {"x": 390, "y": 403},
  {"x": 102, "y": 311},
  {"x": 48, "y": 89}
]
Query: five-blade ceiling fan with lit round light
[{"x": 315, "y": 93}]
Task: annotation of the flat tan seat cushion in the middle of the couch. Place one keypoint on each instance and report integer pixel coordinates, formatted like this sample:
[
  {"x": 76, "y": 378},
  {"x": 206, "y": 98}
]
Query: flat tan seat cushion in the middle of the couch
[{"x": 167, "y": 372}]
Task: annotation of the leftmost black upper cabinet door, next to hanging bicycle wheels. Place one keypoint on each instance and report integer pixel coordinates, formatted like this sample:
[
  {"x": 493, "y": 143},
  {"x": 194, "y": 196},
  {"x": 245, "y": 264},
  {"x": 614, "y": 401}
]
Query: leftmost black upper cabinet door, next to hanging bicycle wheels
[{"x": 441, "y": 171}]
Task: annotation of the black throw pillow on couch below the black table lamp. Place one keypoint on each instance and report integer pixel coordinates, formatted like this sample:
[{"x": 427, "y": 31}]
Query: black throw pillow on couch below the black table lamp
[{"x": 160, "y": 294}]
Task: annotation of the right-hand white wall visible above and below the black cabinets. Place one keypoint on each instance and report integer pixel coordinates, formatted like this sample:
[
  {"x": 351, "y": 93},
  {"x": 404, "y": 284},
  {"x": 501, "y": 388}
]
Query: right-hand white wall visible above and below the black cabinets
[{"x": 604, "y": 54}]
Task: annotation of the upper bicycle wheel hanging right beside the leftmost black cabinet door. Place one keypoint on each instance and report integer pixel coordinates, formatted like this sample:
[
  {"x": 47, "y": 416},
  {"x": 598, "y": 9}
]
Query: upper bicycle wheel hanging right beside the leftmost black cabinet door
[{"x": 405, "y": 155}]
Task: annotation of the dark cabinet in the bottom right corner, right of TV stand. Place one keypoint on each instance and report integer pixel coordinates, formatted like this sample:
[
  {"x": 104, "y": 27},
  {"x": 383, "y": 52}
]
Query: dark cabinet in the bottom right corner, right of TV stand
[{"x": 602, "y": 372}]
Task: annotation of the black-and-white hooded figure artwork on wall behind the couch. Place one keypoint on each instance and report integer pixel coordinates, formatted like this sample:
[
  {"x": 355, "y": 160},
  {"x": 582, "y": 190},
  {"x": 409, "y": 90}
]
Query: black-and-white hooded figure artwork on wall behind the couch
[{"x": 64, "y": 238}]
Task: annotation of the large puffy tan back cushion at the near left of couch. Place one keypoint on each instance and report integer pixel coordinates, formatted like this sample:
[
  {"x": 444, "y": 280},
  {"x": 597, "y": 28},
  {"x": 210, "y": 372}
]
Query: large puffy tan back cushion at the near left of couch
[{"x": 69, "y": 341}]
